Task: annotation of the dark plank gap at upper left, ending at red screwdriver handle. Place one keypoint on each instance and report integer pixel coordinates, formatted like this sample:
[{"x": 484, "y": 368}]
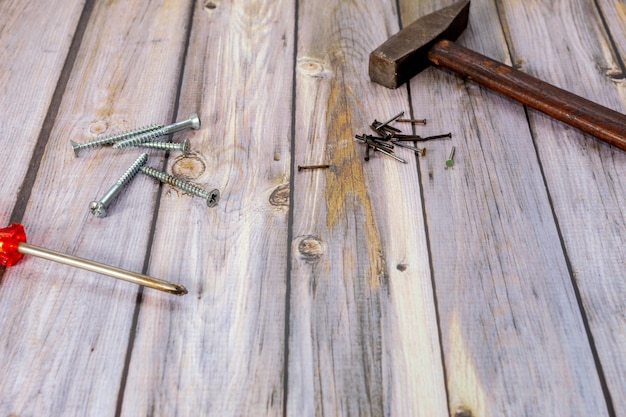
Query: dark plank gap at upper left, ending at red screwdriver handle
[{"x": 26, "y": 188}]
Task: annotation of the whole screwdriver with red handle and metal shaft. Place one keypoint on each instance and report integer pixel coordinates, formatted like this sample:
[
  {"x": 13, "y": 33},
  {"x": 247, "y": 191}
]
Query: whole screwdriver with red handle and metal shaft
[{"x": 13, "y": 247}]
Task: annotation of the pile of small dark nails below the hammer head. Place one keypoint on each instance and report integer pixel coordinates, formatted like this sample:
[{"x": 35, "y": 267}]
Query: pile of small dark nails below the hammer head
[{"x": 389, "y": 136}]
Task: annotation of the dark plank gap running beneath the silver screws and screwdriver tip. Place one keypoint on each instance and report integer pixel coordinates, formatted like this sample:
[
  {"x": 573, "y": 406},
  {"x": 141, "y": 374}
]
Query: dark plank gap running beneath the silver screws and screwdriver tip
[{"x": 155, "y": 216}]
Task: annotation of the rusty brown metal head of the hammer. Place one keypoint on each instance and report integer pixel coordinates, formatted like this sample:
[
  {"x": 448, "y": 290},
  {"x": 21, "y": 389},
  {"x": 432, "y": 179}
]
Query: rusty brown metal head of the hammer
[{"x": 406, "y": 53}]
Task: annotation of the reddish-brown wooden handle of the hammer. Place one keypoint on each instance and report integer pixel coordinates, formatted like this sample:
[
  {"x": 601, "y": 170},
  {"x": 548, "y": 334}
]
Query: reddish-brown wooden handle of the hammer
[{"x": 599, "y": 121}]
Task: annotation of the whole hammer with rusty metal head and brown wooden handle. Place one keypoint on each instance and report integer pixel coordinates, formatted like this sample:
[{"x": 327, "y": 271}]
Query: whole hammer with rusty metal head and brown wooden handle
[{"x": 429, "y": 40}]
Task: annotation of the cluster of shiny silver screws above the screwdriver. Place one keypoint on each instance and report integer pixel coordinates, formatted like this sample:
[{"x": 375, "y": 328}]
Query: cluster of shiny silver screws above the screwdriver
[{"x": 145, "y": 138}]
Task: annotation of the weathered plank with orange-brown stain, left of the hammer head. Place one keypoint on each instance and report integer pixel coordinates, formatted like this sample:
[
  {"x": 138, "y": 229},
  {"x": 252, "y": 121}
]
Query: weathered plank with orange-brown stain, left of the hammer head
[{"x": 363, "y": 335}]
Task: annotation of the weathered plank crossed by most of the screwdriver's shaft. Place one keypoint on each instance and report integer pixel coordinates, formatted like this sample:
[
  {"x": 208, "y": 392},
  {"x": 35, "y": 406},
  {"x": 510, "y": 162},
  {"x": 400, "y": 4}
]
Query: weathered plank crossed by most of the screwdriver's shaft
[{"x": 69, "y": 328}]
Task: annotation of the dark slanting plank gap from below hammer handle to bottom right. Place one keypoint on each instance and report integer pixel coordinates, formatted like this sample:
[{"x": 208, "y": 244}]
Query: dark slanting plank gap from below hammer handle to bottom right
[{"x": 583, "y": 313}]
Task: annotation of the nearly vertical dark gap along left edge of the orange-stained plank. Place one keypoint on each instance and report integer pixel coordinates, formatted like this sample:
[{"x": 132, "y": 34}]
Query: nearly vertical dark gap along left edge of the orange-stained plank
[{"x": 290, "y": 219}]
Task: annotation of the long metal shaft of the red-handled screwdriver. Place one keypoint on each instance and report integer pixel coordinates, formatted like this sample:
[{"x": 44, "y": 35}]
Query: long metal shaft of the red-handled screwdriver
[{"x": 100, "y": 268}]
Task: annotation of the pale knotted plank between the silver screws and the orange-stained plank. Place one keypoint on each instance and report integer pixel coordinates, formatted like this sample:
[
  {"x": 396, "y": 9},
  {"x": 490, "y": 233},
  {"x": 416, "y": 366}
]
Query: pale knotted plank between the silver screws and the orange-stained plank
[{"x": 221, "y": 352}]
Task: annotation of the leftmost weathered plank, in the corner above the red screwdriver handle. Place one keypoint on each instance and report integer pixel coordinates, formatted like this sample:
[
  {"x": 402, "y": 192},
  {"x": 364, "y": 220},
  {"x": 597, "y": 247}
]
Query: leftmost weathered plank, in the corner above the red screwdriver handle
[{"x": 31, "y": 65}]
